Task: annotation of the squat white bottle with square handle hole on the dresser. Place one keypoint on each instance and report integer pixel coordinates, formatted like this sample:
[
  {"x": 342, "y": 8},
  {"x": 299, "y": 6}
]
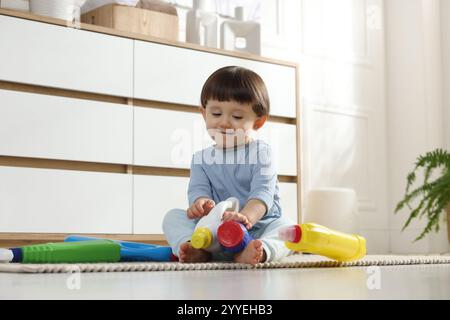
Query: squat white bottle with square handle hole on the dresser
[{"x": 241, "y": 35}]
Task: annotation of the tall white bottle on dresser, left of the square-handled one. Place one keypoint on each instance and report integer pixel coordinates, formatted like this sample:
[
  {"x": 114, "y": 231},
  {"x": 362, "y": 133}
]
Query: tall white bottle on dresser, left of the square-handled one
[{"x": 201, "y": 25}]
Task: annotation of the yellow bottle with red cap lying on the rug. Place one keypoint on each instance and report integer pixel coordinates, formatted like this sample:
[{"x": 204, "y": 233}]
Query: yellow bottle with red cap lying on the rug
[{"x": 317, "y": 239}]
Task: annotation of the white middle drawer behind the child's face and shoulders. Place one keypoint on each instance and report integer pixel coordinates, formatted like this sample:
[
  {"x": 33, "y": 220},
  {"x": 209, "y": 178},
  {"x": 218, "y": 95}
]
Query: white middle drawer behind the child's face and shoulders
[{"x": 180, "y": 134}]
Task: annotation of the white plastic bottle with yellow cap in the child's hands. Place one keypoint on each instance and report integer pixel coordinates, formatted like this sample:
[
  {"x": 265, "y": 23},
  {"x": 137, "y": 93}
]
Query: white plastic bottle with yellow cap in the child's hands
[{"x": 205, "y": 233}]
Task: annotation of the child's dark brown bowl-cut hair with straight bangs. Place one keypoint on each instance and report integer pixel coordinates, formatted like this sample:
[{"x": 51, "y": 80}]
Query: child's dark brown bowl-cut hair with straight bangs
[{"x": 237, "y": 84}]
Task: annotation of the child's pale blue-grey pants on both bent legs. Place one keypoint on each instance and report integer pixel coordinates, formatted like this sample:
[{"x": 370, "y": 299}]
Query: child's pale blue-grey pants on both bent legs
[{"x": 178, "y": 229}]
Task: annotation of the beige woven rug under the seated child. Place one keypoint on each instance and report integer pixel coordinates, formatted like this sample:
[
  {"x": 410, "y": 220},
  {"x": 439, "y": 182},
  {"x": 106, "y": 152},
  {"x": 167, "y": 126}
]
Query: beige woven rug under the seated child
[{"x": 295, "y": 261}]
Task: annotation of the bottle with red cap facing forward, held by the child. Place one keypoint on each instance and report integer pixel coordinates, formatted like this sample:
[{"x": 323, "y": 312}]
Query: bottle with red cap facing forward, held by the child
[{"x": 233, "y": 236}]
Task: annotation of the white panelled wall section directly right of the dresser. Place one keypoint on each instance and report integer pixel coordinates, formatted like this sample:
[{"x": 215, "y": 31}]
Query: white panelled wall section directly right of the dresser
[{"x": 343, "y": 102}]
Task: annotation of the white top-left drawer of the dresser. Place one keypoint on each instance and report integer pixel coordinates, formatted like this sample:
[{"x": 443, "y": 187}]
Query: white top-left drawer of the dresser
[{"x": 56, "y": 56}]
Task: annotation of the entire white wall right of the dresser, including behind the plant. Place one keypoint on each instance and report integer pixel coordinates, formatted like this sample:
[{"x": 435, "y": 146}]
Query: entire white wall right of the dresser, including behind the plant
[{"x": 375, "y": 85}]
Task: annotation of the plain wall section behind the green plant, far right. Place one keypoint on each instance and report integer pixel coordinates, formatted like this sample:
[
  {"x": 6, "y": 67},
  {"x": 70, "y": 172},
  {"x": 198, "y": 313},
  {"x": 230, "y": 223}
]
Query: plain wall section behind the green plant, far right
[{"x": 414, "y": 107}]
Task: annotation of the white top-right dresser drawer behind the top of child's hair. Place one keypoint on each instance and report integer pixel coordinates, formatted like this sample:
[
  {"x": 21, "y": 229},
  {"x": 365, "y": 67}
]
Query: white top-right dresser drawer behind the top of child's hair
[{"x": 172, "y": 74}]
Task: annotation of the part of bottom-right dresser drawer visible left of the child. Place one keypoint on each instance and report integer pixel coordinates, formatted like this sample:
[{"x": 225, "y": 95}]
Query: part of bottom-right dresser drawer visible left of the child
[{"x": 154, "y": 196}]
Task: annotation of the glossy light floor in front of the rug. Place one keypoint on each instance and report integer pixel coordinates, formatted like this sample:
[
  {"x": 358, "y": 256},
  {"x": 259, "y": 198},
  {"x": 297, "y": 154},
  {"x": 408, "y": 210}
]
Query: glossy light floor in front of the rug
[{"x": 391, "y": 282}]
